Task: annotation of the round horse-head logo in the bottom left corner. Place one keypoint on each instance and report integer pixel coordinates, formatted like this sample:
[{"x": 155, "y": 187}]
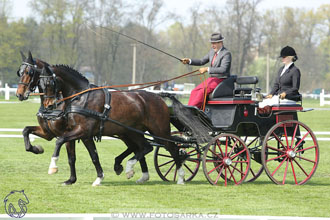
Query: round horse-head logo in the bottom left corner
[{"x": 15, "y": 204}]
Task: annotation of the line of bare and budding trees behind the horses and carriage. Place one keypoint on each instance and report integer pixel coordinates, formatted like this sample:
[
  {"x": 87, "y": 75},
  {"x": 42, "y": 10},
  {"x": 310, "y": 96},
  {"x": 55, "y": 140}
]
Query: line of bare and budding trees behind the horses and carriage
[{"x": 70, "y": 32}]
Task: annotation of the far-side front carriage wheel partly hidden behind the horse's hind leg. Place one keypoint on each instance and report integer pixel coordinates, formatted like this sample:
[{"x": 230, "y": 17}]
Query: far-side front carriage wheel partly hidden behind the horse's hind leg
[{"x": 166, "y": 167}]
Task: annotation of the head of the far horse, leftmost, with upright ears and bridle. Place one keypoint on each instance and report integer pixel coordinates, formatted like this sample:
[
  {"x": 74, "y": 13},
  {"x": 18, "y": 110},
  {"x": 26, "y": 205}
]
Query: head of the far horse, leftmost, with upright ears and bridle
[{"x": 28, "y": 72}]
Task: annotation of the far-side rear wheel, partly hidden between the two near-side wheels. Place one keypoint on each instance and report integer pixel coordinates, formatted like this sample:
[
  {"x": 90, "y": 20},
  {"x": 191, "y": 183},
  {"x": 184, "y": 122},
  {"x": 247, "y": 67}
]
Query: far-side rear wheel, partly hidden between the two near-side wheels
[{"x": 256, "y": 168}]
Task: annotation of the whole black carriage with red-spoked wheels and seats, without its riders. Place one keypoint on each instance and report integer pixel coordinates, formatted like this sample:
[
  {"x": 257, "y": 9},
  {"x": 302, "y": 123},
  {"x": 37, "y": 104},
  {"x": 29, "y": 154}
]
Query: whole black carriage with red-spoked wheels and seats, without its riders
[{"x": 243, "y": 139}]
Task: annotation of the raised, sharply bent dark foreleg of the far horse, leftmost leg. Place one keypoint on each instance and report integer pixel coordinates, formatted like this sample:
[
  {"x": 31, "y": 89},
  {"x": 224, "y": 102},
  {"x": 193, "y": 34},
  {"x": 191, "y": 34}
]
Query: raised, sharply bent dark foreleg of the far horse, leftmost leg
[{"x": 38, "y": 131}]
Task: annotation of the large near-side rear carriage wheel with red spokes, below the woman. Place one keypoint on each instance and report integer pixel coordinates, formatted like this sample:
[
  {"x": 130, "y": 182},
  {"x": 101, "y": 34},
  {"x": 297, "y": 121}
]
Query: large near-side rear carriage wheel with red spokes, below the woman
[{"x": 287, "y": 157}]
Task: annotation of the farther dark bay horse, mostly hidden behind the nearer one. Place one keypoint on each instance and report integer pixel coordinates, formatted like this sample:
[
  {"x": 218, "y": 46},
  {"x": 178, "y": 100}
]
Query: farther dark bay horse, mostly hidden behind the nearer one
[{"x": 51, "y": 126}]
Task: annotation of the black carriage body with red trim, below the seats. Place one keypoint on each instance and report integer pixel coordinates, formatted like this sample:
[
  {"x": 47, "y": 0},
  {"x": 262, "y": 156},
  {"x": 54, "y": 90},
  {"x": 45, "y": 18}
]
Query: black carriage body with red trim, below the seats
[{"x": 241, "y": 117}]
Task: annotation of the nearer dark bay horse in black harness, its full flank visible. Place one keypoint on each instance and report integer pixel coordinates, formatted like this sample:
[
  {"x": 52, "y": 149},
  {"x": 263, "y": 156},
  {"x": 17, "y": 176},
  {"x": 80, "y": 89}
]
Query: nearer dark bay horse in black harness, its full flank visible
[{"x": 138, "y": 110}]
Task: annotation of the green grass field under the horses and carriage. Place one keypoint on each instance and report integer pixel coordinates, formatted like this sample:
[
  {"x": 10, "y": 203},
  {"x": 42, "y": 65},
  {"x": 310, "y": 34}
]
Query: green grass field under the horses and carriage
[{"x": 22, "y": 170}]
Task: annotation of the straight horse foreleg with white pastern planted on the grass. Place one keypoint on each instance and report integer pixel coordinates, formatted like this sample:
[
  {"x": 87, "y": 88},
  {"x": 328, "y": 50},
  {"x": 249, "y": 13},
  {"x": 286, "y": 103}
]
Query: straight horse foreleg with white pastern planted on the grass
[{"x": 90, "y": 145}]
